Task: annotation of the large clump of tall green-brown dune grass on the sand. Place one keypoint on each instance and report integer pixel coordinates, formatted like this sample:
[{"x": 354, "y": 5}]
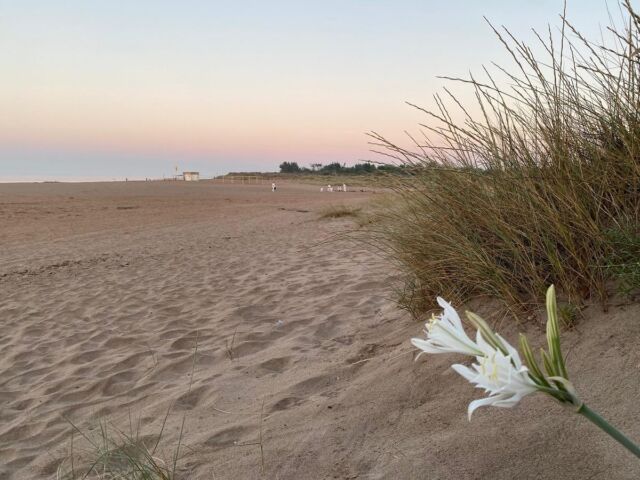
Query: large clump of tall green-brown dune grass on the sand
[{"x": 532, "y": 190}]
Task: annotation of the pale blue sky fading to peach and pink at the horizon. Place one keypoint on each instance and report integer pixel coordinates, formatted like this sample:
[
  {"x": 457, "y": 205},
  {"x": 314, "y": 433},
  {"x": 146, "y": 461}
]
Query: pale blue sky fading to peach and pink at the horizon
[{"x": 108, "y": 89}]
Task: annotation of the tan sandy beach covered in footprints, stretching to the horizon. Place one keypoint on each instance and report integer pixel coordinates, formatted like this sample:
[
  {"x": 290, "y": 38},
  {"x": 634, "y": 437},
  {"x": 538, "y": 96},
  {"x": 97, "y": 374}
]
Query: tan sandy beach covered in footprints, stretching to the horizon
[{"x": 283, "y": 352}]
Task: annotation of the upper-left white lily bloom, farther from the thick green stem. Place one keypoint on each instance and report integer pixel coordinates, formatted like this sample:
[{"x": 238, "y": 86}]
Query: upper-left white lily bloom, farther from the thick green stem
[{"x": 445, "y": 334}]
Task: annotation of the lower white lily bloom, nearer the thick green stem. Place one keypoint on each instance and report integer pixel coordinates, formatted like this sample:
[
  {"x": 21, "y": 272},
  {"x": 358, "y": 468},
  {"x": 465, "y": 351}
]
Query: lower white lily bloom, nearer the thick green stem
[{"x": 502, "y": 376}]
